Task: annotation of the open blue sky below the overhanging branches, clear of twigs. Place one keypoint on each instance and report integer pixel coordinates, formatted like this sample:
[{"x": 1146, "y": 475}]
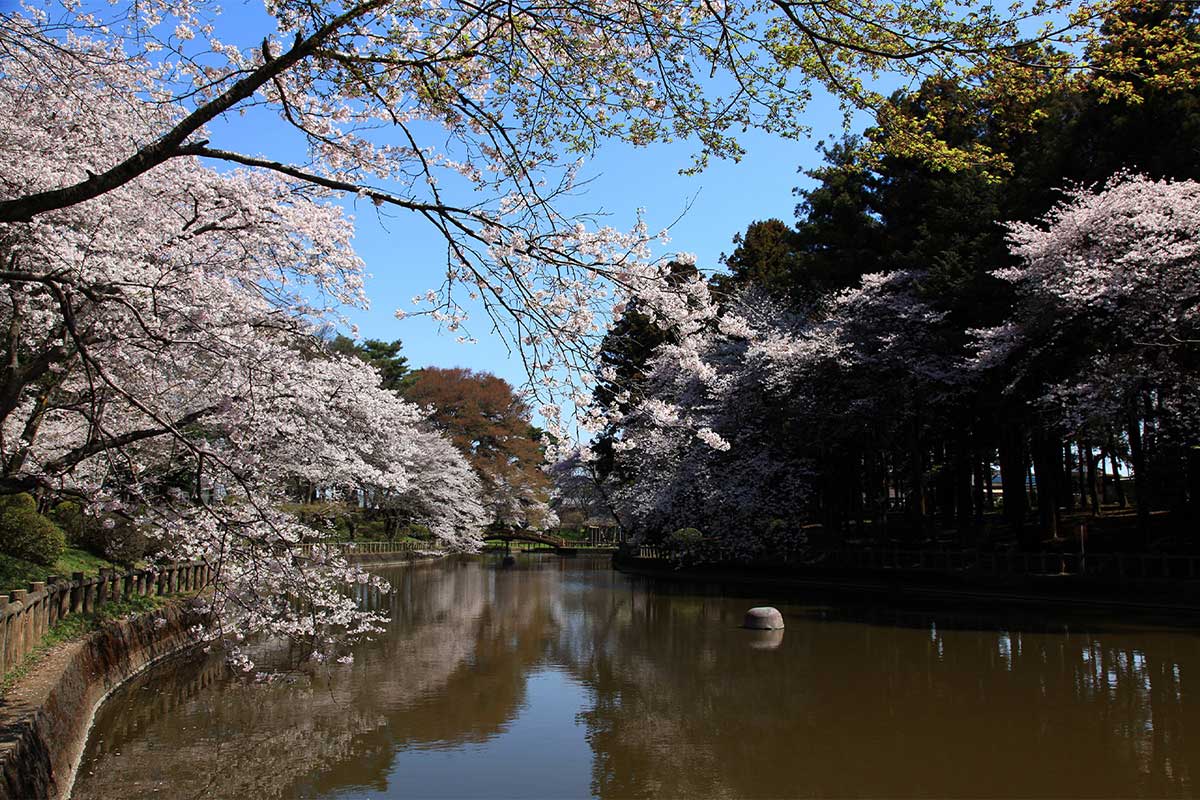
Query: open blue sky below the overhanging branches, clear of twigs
[{"x": 405, "y": 256}]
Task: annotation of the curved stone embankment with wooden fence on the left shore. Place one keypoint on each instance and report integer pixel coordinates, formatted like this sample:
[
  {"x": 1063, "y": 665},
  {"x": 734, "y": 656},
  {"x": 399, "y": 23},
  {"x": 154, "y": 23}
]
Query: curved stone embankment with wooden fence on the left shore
[{"x": 46, "y": 717}]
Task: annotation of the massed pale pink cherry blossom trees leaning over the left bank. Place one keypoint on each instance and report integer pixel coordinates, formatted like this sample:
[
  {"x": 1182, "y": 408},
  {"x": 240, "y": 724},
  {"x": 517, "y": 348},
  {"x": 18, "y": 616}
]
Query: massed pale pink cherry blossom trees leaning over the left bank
[{"x": 163, "y": 362}]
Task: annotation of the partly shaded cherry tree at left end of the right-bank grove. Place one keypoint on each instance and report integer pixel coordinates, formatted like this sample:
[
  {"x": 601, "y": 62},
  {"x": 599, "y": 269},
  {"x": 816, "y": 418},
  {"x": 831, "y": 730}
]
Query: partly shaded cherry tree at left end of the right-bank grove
[{"x": 748, "y": 423}]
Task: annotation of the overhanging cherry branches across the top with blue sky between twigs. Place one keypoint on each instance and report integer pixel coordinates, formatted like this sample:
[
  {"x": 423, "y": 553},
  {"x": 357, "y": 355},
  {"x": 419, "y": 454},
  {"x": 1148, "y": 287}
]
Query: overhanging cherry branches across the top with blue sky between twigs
[{"x": 473, "y": 117}]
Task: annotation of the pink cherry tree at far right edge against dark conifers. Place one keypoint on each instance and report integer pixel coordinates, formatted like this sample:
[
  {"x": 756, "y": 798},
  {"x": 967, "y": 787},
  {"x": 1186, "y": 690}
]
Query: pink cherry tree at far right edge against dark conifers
[{"x": 1107, "y": 323}]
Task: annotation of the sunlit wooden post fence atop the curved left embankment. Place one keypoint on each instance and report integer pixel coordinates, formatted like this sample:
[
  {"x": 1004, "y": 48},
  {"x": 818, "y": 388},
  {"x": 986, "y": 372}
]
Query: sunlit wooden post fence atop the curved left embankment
[{"x": 27, "y": 615}]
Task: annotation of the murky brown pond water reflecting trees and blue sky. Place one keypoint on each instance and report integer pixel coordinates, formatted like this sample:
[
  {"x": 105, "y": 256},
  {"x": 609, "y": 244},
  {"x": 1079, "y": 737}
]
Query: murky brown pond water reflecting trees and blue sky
[{"x": 561, "y": 678}]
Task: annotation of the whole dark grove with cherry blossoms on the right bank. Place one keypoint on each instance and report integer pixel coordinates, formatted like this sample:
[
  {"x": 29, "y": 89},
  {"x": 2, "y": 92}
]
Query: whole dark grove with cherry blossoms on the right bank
[{"x": 920, "y": 328}]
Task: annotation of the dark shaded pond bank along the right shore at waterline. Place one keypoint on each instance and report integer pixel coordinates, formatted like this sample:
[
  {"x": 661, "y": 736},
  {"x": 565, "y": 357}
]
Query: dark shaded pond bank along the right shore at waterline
[{"x": 1037, "y": 591}]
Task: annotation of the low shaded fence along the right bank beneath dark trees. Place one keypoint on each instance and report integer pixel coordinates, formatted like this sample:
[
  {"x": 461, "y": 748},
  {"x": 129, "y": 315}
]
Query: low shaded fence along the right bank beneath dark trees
[{"x": 1119, "y": 567}]
